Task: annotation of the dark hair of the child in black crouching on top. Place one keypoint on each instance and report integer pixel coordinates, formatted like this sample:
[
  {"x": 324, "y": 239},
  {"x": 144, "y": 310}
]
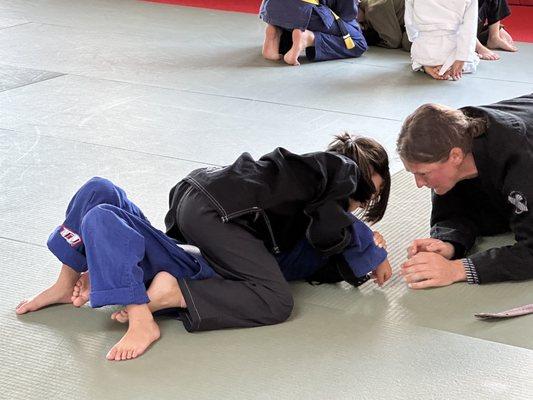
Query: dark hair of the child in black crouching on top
[{"x": 370, "y": 157}]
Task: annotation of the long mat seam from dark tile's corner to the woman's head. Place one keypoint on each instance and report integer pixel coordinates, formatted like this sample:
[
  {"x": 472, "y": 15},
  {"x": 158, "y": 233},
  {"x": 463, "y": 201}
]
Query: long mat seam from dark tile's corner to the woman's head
[{"x": 237, "y": 98}]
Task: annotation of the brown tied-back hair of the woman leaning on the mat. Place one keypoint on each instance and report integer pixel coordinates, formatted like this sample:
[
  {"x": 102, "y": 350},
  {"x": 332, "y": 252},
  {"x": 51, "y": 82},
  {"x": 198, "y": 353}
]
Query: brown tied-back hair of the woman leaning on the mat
[{"x": 429, "y": 133}]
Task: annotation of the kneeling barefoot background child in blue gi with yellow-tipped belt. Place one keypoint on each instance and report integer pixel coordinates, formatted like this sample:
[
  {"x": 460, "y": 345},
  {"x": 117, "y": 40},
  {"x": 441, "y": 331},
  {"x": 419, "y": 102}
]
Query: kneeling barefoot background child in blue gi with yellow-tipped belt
[{"x": 325, "y": 29}]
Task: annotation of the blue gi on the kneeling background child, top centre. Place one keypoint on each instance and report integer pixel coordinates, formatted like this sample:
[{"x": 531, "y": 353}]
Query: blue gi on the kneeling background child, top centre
[{"x": 329, "y": 42}]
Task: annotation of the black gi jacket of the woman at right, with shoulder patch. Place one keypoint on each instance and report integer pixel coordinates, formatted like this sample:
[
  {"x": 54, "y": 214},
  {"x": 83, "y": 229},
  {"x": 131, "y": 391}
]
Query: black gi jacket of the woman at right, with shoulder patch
[{"x": 499, "y": 199}]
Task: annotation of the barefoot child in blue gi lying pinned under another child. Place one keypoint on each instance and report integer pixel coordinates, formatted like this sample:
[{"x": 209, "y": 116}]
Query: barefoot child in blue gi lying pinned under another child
[{"x": 107, "y": 234}]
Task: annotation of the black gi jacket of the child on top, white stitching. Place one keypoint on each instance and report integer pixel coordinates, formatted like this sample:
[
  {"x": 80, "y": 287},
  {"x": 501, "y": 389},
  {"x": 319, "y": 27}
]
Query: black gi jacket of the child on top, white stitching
[{"x": 283, "y": 195}]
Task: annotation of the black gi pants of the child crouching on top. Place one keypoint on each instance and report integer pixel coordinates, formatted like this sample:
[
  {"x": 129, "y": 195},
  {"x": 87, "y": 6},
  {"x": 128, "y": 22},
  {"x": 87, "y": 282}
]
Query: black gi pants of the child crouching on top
[{"x": 252, "y": 290}]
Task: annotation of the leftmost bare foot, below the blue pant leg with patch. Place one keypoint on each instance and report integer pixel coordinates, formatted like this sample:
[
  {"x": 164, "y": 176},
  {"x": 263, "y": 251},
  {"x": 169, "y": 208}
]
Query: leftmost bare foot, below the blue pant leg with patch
[{"x": 59, "y": 293}]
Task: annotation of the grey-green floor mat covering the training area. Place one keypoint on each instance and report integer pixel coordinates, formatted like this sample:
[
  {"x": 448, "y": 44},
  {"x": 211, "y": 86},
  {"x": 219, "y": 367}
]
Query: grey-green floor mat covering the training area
[{"x": 142, "y": 93}]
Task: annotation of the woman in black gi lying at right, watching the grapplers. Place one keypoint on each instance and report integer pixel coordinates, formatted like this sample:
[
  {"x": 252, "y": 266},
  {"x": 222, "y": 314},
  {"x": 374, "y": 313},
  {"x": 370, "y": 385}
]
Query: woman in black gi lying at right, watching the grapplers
[{"x": 478, "y": 163}]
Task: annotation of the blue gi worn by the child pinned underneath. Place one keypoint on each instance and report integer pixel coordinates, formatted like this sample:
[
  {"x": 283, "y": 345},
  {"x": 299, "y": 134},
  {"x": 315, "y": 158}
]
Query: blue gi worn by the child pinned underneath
[{"x": 108, "y": 235}]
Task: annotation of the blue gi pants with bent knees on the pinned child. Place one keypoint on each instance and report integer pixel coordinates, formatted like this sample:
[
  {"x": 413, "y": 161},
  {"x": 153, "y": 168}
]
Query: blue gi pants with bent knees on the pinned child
[{"x": 107, "y": 234}]
